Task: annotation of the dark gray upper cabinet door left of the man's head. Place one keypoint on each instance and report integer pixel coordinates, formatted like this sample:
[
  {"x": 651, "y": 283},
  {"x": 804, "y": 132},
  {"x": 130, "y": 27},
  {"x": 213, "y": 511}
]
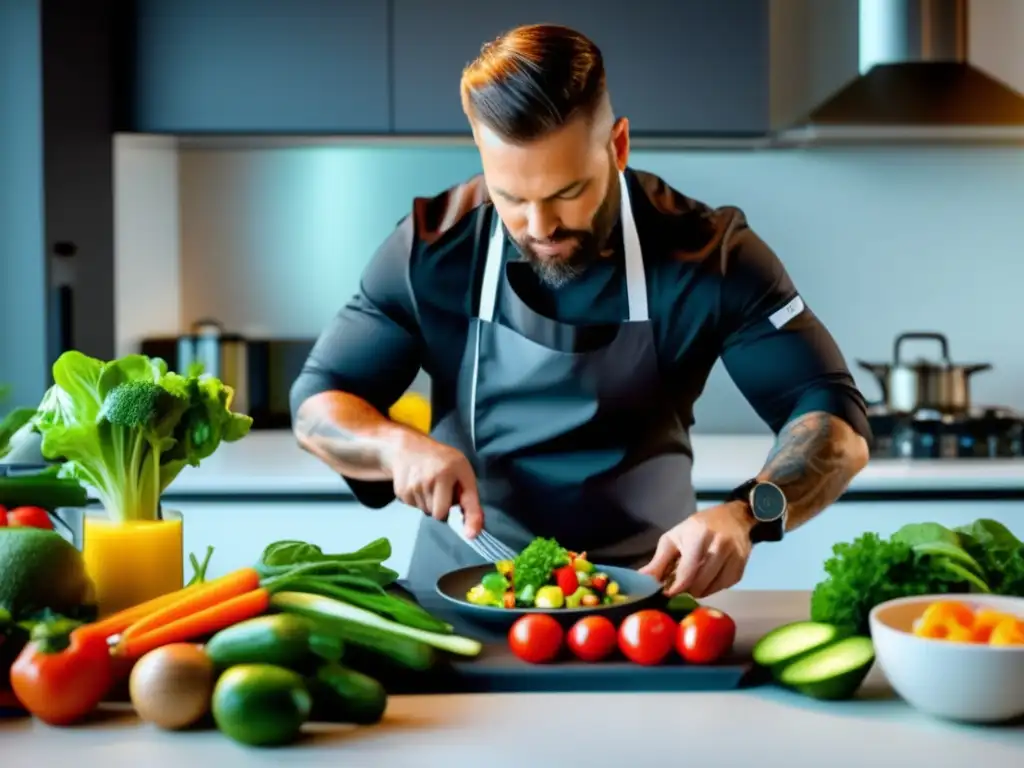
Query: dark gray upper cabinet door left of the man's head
[{"x": 260, "y": 67}]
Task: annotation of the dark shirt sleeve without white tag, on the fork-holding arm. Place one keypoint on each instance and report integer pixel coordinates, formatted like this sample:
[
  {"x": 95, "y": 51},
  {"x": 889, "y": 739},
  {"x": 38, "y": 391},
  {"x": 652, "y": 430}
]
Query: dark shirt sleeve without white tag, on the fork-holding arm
[{"x": 371, "y": 349}]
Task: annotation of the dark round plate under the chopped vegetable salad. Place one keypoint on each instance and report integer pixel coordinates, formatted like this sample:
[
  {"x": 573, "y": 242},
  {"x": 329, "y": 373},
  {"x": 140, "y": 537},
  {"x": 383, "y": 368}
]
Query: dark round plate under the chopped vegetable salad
[{"x": 642, "y": 590}]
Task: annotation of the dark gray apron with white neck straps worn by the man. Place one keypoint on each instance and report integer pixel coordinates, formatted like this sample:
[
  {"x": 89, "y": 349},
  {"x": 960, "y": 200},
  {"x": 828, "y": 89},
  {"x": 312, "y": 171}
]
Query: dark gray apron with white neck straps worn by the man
[{"x": 569, "y": 441}]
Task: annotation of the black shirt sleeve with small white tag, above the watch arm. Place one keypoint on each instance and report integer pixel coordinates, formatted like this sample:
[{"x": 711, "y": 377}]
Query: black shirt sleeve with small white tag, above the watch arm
[{"x": 777, "y": 351}]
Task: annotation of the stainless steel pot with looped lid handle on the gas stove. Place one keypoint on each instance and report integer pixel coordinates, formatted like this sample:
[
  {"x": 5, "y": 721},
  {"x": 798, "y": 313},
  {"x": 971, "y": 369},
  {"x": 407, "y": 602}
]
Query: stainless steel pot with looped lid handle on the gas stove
[{"x": 908, "y": 388}]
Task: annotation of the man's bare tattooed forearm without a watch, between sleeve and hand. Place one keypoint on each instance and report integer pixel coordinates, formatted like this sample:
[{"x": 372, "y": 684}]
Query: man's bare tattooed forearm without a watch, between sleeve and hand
[{"x": 347, "y": 434}]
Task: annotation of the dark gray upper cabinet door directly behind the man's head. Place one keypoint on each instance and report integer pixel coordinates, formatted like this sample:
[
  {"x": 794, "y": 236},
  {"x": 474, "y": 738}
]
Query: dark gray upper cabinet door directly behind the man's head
[{"x": 692, "y": 67}]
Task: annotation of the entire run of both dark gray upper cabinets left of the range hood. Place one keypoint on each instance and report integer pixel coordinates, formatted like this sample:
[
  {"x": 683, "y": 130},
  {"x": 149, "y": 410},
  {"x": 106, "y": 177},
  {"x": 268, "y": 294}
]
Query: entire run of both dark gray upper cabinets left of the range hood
[{"x": 308, "y": 67}]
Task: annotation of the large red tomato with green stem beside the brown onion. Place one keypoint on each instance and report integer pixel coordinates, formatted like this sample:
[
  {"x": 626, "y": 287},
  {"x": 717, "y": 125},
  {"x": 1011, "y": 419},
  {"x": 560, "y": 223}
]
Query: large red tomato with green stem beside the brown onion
[{"x": 61, "y": 677}]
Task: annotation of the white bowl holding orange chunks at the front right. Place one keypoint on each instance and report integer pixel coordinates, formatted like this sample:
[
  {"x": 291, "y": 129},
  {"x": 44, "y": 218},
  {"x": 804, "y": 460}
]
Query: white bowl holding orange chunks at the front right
[{"x": 969, "y": 682}]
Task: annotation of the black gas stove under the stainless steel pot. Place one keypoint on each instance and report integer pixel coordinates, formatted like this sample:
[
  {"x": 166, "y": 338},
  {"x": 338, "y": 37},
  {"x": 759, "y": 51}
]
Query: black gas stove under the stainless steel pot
[{"x": 986, "y": 433}]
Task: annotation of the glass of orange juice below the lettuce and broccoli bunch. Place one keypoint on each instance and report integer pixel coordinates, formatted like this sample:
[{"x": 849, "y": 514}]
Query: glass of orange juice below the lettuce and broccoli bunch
[{"x": 132, "y": 563}]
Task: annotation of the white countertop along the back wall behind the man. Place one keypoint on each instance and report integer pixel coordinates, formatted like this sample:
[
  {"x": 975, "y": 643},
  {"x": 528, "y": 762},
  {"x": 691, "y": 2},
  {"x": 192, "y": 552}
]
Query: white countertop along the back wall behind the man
[{"x": 271, "y": 462}]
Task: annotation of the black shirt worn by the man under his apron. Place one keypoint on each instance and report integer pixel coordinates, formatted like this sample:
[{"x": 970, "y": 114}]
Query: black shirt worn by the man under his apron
[{"x": 715, "y": 291}]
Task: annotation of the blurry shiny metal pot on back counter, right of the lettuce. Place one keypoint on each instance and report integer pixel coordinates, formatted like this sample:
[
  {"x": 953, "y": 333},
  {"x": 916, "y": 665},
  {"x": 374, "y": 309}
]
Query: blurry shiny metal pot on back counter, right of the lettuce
[{"x": 210, "y": 350}]
